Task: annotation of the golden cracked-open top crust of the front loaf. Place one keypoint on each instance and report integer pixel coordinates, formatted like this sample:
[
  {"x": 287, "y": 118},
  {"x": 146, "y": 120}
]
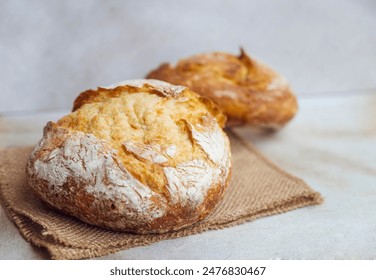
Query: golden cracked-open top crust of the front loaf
[{"x": 142, "y": 122}]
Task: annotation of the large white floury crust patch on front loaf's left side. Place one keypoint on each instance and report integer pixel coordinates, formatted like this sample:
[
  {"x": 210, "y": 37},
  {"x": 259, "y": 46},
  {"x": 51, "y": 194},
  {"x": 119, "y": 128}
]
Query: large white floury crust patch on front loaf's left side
[{"x": 85, "y": 159}]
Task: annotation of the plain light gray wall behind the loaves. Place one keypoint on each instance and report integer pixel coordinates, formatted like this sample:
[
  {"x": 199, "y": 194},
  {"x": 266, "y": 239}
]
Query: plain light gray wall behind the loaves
[{"x": 52, "y": 50}]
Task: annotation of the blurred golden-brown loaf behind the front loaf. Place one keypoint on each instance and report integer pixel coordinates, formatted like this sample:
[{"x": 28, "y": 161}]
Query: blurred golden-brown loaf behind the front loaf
[{"x": 247, "y": 91}]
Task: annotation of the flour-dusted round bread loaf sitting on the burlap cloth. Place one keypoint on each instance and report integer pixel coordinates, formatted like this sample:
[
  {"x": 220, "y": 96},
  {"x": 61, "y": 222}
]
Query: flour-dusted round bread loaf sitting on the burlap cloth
[{"x": 141, "y": 156}]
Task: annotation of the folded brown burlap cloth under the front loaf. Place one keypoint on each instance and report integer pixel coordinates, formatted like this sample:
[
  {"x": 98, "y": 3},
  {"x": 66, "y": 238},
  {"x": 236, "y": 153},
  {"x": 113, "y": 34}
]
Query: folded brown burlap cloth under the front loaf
[{"x": 258, "y": 188}]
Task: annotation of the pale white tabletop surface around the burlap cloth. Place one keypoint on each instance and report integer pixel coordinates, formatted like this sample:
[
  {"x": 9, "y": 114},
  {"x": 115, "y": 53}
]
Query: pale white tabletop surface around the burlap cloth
[{"x": 330, "y": 145}]
